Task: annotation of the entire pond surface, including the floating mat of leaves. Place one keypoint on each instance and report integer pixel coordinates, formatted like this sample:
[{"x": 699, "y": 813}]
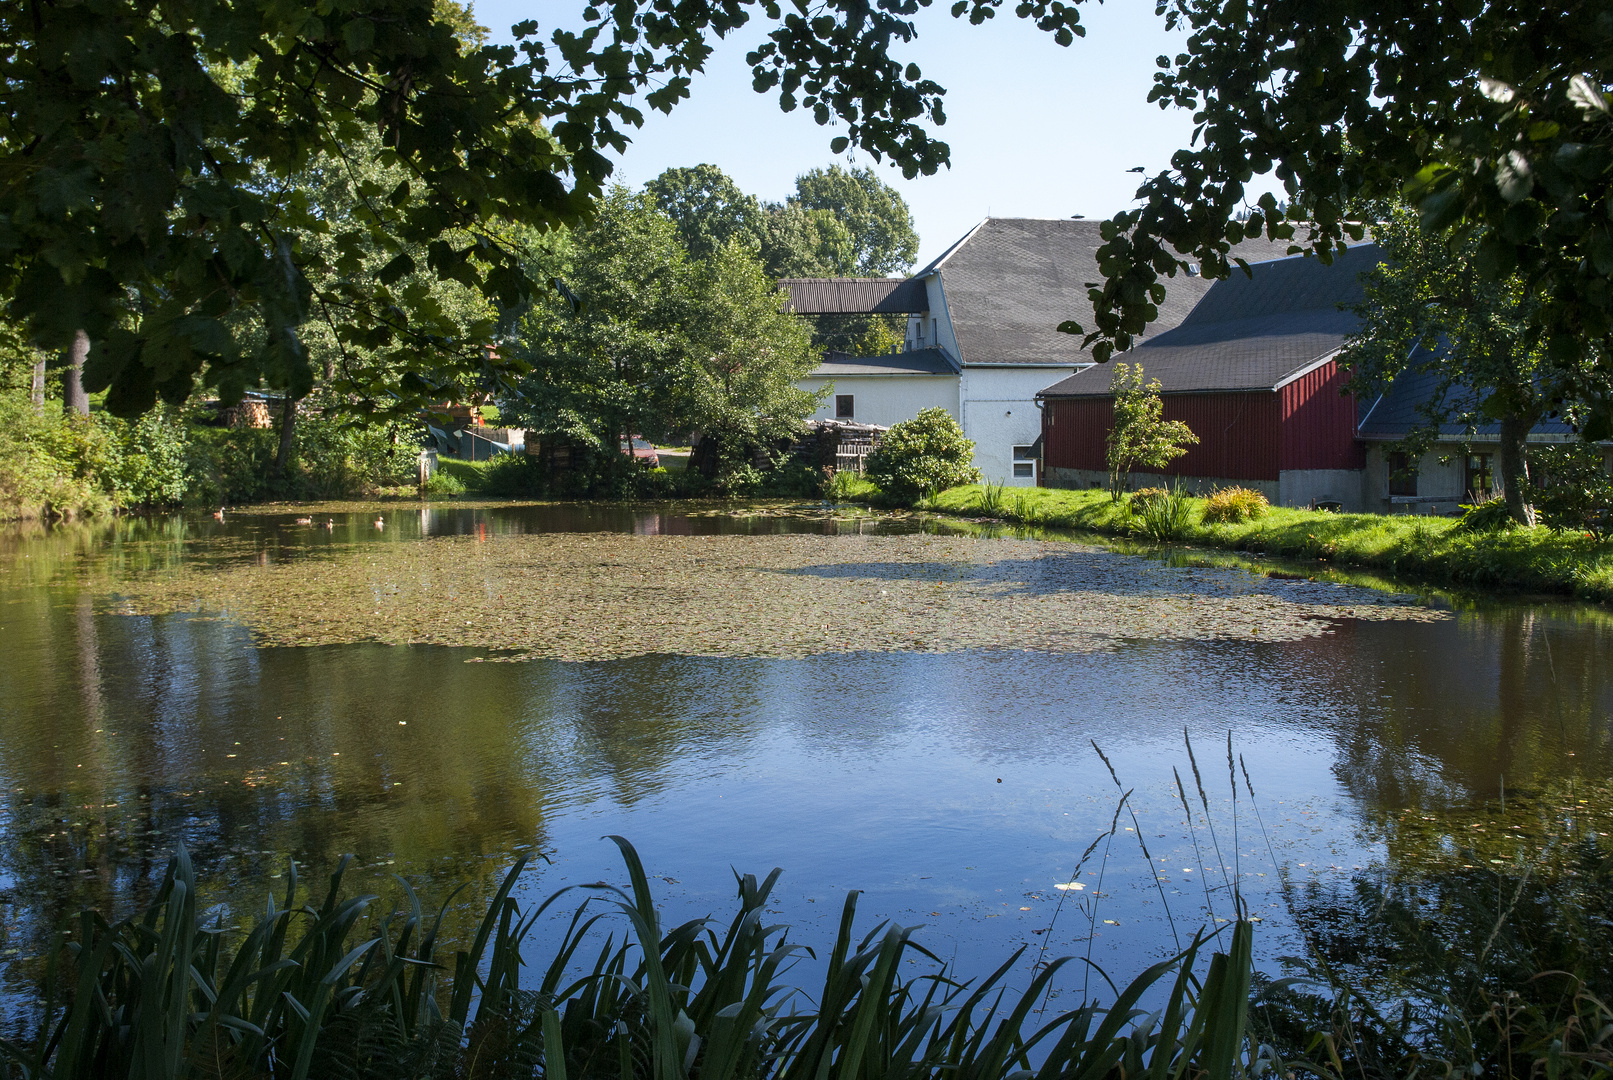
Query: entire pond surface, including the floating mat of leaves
[{"x": 877, "y": 704}]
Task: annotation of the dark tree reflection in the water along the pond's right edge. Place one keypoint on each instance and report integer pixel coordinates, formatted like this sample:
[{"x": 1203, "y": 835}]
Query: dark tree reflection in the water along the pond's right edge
[{"x": 1517, "y": 692}]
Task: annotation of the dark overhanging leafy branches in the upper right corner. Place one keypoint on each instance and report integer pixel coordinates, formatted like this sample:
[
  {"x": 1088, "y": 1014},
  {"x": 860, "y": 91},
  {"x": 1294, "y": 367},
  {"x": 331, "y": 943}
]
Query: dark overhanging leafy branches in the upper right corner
[{"x": 1491, "y": 117}]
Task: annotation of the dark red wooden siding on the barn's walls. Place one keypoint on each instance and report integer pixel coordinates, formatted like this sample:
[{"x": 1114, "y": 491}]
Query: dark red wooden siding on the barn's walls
[{"x": 1238, "y": 434}]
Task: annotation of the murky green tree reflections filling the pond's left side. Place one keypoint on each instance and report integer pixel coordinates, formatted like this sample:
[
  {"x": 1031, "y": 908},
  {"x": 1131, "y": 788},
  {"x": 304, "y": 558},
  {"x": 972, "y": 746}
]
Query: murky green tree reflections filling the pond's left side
[{"x": 128, "y": 736}]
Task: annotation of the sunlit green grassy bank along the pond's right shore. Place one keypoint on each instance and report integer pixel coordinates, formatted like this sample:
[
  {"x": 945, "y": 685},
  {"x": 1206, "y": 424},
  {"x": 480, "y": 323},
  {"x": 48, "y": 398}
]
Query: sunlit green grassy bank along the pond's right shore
[{"x": 1433, "y": 550}]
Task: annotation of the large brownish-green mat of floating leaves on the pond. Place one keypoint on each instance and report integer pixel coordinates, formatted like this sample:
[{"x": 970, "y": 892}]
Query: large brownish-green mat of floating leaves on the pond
[{"x": 609, "y": 596}]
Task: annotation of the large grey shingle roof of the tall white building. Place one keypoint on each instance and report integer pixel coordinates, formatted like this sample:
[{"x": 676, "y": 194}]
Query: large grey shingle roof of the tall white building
[{"x": 1014, "y": 280}]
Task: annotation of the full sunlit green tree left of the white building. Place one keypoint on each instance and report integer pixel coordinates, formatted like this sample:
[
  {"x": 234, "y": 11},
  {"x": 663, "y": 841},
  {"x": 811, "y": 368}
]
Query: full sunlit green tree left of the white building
[{"x": 662, "y": 346}]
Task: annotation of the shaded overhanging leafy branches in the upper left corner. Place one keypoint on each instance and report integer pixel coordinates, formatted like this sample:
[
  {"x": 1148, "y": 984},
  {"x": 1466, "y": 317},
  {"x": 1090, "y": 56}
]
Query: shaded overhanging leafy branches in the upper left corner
[{"x": 148, "y": 154}]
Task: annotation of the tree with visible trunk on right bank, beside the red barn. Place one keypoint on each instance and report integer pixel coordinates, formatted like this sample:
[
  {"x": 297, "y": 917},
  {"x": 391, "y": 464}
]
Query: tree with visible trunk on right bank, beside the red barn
[{"x": 1430, "y": 310}]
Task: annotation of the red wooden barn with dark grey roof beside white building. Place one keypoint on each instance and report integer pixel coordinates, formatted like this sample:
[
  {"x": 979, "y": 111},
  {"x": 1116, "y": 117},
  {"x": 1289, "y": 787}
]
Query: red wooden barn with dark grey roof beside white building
[{"x": 1254, "y": 373}]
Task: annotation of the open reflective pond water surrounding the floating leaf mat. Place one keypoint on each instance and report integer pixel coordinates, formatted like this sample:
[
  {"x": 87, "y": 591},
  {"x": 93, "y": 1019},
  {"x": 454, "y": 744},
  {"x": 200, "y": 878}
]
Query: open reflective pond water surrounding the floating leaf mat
[{"x": 956, "y": 787}]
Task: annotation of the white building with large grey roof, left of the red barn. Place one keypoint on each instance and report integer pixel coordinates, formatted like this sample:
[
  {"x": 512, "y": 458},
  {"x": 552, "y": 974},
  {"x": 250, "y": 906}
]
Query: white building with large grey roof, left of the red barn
[{"x": 982, "y": 336}]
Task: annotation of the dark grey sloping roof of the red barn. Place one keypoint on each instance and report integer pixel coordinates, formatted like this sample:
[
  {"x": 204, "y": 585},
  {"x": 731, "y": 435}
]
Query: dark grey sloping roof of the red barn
[{"x": 1249, "y": 333}]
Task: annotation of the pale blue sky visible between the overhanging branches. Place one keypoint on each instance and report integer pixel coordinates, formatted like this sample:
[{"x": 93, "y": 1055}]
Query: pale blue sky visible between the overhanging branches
[{"x": 1036, "y": 131}]
